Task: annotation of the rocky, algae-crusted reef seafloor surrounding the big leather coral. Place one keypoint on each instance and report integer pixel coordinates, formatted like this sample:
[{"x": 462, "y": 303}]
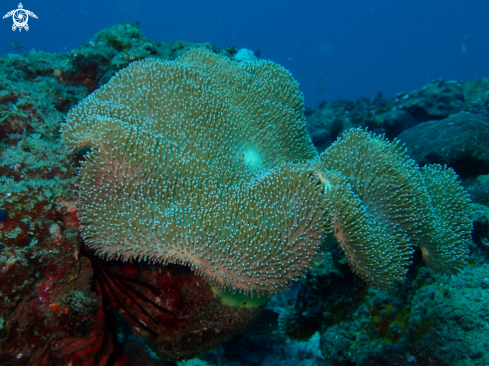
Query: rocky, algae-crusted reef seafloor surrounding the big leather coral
[{"x": 52, "y": 313}]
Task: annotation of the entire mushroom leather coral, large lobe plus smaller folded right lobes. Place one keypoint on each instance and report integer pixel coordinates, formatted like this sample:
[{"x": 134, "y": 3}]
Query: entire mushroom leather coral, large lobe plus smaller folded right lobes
[{"x": 206, "y": 162}]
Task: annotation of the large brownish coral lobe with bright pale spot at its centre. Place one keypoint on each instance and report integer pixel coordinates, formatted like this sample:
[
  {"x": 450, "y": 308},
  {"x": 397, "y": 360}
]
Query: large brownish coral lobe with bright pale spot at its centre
[{"x": 200, "y": 161}]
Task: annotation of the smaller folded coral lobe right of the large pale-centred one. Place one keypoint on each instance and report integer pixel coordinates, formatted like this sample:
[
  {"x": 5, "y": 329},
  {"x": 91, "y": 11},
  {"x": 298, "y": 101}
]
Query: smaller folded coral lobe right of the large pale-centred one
[{"x": 381, "y": 205}]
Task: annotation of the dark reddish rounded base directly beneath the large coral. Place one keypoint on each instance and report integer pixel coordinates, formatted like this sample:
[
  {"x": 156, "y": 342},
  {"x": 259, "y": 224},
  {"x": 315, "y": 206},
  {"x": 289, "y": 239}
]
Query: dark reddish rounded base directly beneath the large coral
[{"x": 179, "y": 314}]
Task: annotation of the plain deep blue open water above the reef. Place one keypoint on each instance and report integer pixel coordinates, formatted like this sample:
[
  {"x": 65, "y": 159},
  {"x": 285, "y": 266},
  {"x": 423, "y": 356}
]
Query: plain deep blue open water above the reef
[{"x": 366, "y": 47}]
